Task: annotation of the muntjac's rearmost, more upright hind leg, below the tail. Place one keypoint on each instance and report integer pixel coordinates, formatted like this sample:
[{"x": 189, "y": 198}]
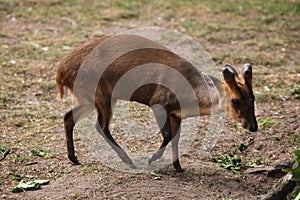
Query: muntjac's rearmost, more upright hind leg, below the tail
[{"x": 70, "y": 120}]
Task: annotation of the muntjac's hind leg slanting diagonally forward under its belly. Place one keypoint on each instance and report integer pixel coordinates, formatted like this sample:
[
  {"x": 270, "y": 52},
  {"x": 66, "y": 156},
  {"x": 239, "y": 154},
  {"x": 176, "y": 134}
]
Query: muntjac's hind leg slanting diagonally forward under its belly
[{"x": 102, "y": 126}]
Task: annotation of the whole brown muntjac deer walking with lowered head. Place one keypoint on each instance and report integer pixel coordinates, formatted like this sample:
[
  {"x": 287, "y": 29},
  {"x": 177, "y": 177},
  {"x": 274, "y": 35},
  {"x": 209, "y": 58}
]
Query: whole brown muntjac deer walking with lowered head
[{"x": 234, "y": 95}]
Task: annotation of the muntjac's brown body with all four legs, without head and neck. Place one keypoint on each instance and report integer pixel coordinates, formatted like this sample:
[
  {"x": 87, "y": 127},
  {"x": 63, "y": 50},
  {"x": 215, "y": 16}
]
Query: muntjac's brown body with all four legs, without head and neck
[{"x": 133, "y": 68}]
